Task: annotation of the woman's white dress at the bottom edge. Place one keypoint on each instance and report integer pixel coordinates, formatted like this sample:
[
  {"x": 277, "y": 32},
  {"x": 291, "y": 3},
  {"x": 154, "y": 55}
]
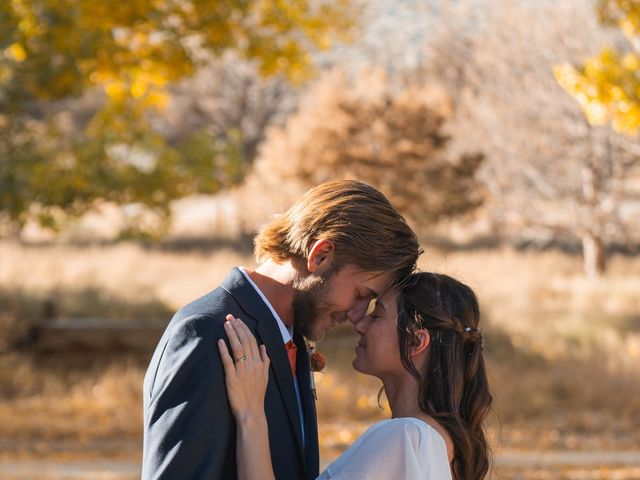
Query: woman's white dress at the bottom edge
[{"x": 395, "y": 449}]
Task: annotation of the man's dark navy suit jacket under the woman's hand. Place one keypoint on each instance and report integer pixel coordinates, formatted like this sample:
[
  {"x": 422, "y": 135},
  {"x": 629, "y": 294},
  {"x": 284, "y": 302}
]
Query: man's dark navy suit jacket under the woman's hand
[{"x": 189, "y": 430}]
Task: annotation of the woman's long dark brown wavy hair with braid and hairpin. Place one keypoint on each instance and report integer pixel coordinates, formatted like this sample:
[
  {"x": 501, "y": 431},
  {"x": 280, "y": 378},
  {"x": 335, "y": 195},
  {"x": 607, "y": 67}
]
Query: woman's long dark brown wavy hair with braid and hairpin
[{"x": 453, "y": 389}]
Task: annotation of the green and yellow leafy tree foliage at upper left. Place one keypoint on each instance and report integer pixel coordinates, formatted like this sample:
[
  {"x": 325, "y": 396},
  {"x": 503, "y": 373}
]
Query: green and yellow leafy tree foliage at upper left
[{"x": 83, "y": 82}]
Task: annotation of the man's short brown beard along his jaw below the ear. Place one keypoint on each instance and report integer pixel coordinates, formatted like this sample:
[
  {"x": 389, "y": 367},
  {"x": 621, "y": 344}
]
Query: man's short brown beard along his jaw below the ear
[{"x": 309, "y": 302}]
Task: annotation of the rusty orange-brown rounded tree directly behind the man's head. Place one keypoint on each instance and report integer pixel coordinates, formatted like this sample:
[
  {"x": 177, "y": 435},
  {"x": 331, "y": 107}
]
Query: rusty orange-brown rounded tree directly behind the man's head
[{"x": 390, "y": 136}]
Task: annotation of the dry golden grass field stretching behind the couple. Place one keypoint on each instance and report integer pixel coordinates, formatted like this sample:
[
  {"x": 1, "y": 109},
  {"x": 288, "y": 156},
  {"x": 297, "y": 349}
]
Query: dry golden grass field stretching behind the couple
[{"x": 563, "y": 352}]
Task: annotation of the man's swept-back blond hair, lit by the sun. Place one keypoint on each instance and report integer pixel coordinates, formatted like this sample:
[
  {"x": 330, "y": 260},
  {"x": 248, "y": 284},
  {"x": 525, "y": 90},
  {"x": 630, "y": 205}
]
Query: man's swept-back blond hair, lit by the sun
[{"x": 365, "y": 228}]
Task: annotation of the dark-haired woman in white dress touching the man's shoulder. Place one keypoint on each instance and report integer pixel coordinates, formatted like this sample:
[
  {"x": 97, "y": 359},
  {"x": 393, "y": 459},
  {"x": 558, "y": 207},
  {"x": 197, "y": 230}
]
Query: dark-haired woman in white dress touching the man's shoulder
[{"x": 422, "y": 340}]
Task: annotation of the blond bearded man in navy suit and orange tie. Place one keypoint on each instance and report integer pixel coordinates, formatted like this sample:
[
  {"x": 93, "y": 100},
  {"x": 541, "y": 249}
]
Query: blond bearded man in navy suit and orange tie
[{"x": 320, "y": 263}]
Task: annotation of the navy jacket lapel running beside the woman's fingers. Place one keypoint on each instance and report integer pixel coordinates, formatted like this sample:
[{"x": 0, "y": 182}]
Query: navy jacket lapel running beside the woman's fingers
[{"x": 267, "y": 328}]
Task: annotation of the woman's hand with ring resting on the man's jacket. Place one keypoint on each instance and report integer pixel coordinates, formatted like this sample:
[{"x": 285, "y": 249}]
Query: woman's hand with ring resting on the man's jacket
[{"x": 246, "y": 371}]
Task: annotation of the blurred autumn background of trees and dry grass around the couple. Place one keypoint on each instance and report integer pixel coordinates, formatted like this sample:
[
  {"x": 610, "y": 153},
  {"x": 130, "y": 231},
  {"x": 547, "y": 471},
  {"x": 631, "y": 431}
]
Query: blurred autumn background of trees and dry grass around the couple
[{"x": 143, "y": 143}]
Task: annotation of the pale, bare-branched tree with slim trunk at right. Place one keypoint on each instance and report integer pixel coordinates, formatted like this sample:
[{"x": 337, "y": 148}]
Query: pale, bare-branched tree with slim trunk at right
[{"x": 553, "y": 177}]
